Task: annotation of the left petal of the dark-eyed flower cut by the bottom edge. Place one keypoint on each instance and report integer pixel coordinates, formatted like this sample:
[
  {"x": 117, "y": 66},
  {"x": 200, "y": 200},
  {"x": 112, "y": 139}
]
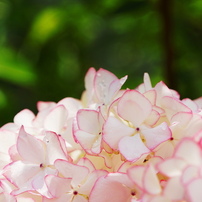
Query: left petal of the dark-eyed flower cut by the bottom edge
[{"x": 57, "y": 186}]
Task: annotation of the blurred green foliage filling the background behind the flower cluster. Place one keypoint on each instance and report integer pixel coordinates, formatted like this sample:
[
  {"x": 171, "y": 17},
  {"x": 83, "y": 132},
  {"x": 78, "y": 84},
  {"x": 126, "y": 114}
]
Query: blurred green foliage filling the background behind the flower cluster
[{"x": 47, "y": 46}]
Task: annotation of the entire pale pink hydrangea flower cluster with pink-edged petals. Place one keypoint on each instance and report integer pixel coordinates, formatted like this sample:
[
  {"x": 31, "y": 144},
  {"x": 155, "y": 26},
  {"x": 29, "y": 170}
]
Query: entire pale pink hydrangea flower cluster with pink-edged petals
[{"x": 138, "y": 145}]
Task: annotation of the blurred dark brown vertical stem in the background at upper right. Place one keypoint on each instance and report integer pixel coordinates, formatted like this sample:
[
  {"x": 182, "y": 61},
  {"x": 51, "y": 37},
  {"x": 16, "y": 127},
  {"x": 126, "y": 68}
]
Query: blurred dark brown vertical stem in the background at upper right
[{"x": 165, "y": 9}]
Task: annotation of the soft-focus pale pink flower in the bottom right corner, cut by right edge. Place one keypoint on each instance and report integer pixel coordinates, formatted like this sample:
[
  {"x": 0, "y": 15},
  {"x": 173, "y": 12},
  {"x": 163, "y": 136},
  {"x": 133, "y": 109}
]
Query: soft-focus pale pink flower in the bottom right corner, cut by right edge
[{"x": 184, "y": 171}]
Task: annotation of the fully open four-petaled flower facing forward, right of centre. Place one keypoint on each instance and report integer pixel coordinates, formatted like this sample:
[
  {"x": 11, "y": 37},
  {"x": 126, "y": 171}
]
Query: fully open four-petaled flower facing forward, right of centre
[{"x": 133, "y": 134}]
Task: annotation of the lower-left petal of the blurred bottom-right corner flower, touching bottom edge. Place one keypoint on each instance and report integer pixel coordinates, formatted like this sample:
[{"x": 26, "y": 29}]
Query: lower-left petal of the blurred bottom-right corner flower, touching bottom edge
[{"x": 174, "y": 189}]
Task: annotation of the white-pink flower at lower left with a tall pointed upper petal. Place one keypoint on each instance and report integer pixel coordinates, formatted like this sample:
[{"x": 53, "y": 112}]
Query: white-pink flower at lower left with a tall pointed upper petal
[{"x": 37, "y": 159}]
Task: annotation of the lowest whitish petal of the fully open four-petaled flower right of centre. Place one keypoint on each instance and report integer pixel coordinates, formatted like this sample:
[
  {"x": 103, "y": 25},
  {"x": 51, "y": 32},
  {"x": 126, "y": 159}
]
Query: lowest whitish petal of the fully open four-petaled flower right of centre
[{"x": 132, "y": 147}]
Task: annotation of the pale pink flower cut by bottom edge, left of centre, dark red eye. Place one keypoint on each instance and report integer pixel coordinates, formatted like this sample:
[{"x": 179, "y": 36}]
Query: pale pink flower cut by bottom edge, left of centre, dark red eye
[{"x": 76, "y": 183}]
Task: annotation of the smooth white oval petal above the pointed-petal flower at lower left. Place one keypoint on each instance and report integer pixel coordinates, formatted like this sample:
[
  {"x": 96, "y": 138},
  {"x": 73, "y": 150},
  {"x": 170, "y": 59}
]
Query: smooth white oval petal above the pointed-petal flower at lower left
[{"x": 56, "y": 119}]
